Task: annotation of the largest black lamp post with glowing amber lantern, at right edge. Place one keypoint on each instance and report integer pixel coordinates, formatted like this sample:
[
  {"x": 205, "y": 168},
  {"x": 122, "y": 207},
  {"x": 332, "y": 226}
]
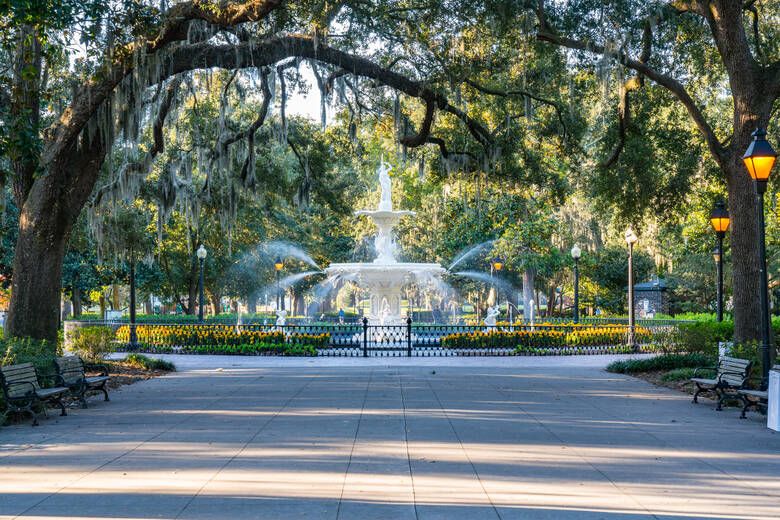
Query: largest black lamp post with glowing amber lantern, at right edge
[{"x": 759, "y": 159}]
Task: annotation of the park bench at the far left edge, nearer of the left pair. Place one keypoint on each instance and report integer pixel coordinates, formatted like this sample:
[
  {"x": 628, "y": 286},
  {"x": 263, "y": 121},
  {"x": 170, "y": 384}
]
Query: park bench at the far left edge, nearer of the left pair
[{"x": 22, "y": 389}]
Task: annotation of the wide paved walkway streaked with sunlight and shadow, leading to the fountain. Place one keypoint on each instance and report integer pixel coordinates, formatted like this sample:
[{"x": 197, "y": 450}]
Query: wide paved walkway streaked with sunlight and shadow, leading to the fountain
[{"x": 518, "y": 438}]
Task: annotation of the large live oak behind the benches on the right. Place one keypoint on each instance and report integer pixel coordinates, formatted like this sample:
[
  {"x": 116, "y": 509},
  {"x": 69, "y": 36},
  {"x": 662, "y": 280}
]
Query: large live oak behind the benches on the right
[{"x": 702, "y": 52}]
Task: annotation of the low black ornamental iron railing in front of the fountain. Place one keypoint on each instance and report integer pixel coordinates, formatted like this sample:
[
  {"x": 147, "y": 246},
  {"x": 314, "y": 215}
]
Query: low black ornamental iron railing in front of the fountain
[{"x": 410, "y": 339}]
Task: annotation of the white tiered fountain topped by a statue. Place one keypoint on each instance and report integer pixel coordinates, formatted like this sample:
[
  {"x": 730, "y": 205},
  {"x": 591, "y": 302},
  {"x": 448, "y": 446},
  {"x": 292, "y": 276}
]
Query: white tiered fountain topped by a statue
[{"x": 385, "y": 276}]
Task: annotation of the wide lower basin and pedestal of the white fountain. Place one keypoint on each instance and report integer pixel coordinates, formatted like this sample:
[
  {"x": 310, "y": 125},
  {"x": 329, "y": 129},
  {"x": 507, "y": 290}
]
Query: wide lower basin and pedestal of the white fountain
[{"x": 384, "y": 281}]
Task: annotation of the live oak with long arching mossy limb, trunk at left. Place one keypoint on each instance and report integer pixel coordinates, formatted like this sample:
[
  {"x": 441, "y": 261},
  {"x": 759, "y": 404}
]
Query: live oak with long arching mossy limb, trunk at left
[{"x": 55, "y": 155}]
